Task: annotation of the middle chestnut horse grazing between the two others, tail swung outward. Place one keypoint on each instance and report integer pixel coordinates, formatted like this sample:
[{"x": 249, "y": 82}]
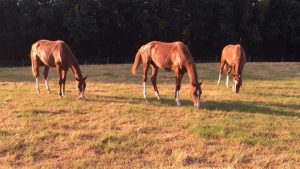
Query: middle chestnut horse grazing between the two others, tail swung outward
[{"x": 172, "y": 57}]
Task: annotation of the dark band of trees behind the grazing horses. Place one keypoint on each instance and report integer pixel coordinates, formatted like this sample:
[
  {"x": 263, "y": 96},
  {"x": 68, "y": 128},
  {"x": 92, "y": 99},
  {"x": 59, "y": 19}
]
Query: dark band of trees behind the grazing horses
[{"x": 102, "y": 31}]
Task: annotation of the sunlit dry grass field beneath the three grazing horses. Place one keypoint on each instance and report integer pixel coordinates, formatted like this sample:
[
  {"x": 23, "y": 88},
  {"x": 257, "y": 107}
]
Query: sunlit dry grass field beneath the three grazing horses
[{"x": 116, "y": 128}]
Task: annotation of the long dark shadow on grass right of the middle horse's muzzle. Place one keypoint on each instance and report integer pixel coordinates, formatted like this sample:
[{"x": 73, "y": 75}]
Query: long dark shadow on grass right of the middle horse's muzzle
[{"x": 250, "y": 107}]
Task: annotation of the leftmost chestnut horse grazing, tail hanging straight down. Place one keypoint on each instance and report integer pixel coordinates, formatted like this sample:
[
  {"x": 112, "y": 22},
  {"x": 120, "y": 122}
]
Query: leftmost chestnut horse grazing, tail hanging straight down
[{"x": 56, "y": 54}]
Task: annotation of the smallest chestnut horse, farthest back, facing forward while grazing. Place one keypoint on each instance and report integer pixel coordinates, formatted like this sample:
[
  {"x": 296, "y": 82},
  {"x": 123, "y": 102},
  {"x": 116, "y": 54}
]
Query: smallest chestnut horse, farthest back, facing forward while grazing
[{"x": 233, "y": 57}]
